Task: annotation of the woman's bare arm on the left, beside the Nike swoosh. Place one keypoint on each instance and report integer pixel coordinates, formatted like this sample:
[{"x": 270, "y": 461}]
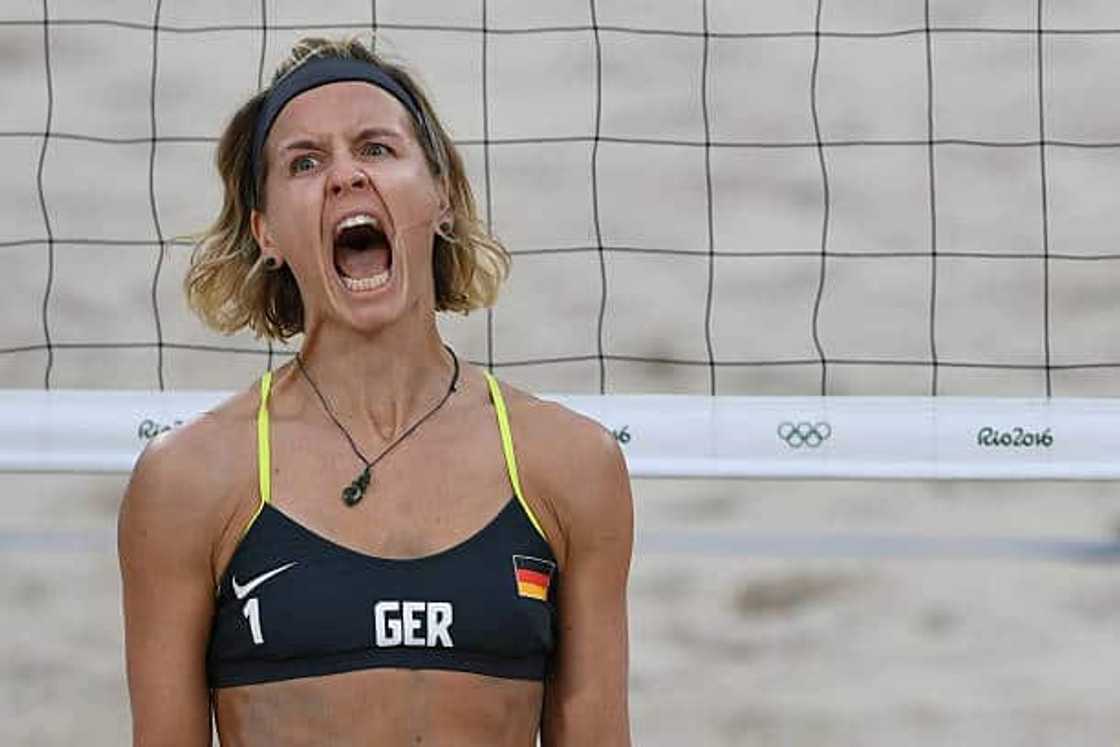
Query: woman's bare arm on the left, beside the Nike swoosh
[{"x": 165, "y": 546}]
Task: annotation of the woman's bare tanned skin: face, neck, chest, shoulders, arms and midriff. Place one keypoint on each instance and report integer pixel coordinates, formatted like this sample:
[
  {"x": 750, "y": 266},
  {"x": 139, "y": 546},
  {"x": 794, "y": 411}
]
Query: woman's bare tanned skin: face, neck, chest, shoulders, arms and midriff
[{"x": 379, "y": 360}]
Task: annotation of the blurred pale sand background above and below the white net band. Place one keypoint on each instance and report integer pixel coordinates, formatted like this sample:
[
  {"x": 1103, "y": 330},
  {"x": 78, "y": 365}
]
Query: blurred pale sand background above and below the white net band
[{"x": 804, "y": 641}]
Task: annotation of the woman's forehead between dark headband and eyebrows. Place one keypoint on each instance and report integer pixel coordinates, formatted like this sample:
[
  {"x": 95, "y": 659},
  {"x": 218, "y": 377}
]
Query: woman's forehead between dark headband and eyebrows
[{"x": 348, "y": 106}]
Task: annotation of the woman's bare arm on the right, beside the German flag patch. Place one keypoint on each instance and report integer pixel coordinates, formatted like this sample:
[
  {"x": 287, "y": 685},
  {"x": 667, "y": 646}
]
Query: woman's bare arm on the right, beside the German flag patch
[{"x": 586, "y": 695}]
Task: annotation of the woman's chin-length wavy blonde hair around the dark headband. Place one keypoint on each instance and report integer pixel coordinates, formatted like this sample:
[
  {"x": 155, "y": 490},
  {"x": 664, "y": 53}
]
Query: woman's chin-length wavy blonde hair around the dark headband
[{"x": 228, "y": 283}]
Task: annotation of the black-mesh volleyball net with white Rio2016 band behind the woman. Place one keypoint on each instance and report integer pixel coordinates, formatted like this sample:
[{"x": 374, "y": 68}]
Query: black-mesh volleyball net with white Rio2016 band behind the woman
[{"x": 759, "y": 239}]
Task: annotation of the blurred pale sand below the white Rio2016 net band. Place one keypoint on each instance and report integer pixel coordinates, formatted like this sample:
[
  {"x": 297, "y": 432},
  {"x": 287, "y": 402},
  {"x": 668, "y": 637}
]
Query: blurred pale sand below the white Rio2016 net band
[{"x": 727, "y": 649}]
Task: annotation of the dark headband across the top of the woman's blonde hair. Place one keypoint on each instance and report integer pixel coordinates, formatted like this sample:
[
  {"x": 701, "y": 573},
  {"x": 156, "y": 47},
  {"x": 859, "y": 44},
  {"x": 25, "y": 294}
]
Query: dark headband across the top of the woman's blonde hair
[{"x": 312, "y": 74}]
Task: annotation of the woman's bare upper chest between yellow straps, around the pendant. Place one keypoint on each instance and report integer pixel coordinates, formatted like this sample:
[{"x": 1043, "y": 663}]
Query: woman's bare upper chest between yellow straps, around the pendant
[{"x": 432, "y": 491}]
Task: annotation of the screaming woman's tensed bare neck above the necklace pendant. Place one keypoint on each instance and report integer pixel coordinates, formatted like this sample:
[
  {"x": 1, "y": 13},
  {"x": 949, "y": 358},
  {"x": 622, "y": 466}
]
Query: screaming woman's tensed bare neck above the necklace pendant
[{"x": 377, "y": 386}]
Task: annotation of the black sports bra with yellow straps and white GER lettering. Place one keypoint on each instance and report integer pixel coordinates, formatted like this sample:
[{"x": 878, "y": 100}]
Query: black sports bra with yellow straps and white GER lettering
[{"x": 296, "y": 604}]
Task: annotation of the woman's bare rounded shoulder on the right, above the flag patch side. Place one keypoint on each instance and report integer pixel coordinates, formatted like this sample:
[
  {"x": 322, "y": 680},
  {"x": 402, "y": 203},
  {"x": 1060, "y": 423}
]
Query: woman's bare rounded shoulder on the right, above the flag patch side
[{"x": 572, "y": 464}]
